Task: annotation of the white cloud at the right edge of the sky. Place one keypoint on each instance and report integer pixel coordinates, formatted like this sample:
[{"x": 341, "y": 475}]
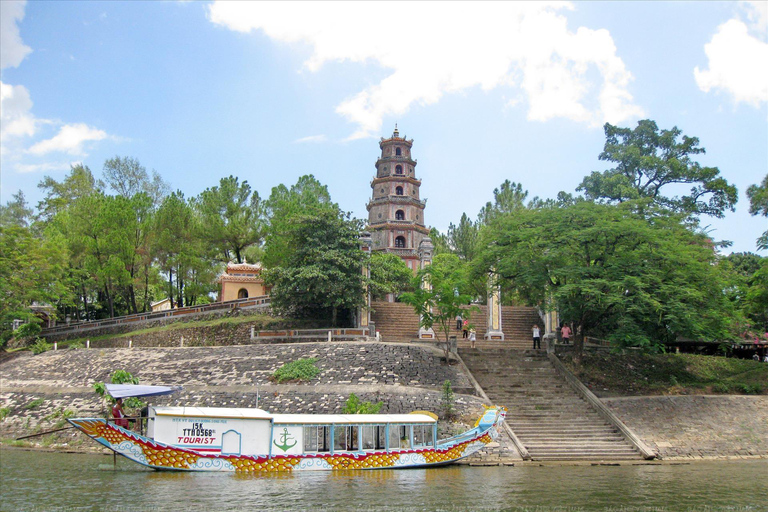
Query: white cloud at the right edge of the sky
[{"x": 737, "y": 64}]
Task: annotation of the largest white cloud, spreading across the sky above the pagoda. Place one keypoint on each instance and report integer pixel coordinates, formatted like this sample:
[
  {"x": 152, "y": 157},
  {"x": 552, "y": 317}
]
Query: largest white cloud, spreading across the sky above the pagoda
[{"x": 434, "y": 49}]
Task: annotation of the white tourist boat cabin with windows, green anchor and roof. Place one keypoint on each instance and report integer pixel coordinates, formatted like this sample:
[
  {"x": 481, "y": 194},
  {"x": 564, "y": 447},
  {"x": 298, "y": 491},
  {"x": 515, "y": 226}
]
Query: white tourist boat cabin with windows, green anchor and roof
[{"x": 228, "y": 431}]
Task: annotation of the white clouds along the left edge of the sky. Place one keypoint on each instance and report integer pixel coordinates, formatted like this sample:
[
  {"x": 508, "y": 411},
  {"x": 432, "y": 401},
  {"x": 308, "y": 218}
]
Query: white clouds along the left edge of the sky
[{"x": 18, "y": 125}]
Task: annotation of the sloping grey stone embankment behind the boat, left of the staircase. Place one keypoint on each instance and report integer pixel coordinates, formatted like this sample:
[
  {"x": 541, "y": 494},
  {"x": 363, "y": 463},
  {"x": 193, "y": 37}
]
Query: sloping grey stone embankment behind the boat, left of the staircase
[{"x": 36, "y": 392}]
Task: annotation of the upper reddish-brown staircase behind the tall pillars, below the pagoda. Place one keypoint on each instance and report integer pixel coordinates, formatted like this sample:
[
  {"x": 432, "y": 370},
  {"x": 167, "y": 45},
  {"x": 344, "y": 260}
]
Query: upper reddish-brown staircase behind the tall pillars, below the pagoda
[{"x": 397, "y": 322}]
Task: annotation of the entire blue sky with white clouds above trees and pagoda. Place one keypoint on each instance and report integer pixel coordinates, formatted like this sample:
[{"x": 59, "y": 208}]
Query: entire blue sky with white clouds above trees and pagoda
[{"x": 488, "y": 91}]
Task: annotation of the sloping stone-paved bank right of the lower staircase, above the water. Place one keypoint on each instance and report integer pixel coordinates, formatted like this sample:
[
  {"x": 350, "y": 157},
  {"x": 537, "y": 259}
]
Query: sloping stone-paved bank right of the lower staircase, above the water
[{"x": 697, "y": 426}]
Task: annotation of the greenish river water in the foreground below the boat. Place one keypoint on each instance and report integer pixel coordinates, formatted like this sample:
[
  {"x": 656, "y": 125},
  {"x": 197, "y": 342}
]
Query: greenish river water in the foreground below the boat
[{"x": 39, "y": 481}]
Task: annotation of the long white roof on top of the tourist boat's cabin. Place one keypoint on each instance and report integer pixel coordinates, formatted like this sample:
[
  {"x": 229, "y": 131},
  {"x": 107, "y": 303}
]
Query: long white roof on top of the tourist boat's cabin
[{"x": 293, "y": 419}]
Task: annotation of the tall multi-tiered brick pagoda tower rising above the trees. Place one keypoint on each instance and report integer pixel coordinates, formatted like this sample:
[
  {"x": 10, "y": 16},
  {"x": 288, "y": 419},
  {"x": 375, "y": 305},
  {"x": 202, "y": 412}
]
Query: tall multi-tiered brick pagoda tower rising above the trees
[{"x": 395, "y": 211}]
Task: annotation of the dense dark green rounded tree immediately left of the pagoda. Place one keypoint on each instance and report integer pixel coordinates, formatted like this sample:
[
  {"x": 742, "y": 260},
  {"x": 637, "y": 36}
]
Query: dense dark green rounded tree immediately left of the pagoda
[{"x": 321, "y": 279}]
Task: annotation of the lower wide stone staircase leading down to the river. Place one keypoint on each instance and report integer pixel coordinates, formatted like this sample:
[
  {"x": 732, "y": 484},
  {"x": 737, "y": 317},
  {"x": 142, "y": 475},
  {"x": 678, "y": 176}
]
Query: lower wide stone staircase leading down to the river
[{"x": 549, "y": 418}]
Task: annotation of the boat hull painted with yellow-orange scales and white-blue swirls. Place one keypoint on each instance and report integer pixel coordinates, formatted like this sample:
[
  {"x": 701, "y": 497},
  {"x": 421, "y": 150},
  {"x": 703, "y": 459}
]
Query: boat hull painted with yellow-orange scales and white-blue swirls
[{"x": 155, "y": 455}]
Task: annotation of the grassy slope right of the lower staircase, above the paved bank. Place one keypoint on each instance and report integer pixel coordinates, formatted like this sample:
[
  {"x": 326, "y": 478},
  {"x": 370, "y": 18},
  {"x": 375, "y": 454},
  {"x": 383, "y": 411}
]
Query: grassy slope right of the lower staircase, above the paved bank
[{"x": 676, "y": 374}]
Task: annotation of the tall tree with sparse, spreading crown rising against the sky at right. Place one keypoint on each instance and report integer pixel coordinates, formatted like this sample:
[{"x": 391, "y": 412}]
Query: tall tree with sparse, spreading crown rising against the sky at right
[{"x": 649, "y": 163}]
